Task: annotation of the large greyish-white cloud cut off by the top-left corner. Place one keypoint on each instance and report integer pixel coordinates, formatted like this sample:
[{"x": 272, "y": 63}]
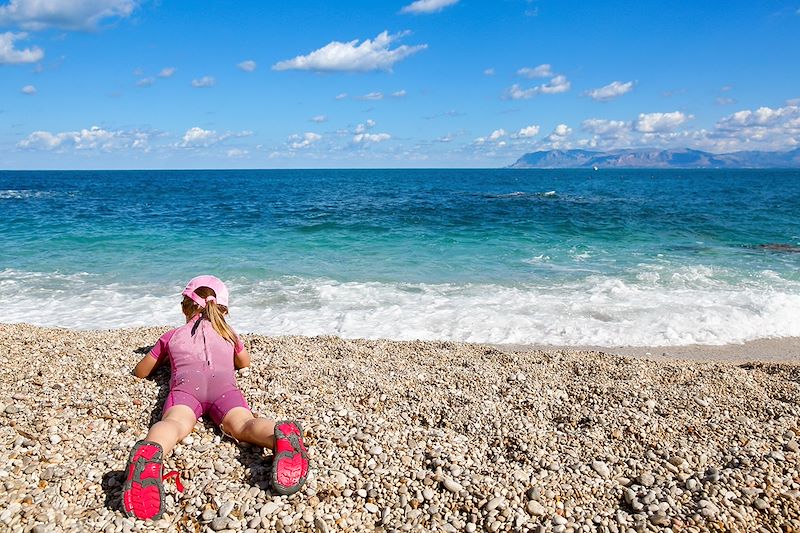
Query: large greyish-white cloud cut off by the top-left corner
[{"x": 64, "y": 14}]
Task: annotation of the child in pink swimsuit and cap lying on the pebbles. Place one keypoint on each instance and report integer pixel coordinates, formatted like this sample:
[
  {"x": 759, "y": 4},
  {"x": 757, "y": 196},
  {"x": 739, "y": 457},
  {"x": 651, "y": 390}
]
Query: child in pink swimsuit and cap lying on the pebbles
[{"x": 204, "y": 354}]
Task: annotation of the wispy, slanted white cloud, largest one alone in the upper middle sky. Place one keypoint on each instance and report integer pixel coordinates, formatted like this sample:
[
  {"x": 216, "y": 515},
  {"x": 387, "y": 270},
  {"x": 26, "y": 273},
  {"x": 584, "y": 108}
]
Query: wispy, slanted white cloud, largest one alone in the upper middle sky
[{"x": 353, "y": 57}]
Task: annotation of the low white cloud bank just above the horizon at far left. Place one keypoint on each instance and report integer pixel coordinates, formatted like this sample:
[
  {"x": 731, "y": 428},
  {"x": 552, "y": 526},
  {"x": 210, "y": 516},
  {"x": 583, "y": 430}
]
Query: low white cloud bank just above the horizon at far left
[{"x": 94, "y": 138}]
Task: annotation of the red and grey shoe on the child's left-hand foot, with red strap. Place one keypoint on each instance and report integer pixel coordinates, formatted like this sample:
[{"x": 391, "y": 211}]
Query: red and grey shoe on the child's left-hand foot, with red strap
[{"x": 143, "y": 491}]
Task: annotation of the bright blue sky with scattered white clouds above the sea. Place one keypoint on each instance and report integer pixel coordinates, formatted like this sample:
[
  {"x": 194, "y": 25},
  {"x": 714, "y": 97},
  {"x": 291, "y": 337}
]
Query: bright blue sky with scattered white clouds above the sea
[{"x": 427, "y": 83}]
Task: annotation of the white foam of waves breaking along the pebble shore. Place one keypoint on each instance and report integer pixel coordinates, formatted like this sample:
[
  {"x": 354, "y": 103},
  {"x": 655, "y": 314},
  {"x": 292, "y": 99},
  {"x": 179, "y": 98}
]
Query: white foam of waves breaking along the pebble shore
[{"x": 691, "y": 305}]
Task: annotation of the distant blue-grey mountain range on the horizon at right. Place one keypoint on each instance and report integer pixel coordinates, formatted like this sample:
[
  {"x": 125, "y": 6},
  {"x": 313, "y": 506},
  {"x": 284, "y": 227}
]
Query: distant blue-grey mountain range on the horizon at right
[{"x": 654, "y": 158}]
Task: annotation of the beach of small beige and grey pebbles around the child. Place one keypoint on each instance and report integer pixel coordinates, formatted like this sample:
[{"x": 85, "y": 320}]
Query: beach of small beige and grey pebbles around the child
[{"x": 408, "y": 436}]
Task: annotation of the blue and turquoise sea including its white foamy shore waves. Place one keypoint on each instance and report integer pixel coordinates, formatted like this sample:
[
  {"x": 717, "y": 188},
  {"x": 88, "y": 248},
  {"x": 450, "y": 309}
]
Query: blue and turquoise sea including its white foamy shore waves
[{"x": 608, "y": 257}]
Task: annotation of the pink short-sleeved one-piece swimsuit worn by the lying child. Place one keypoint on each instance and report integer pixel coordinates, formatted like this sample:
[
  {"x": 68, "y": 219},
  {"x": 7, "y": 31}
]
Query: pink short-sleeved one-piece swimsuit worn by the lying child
[{"x": 203, "y": 376}]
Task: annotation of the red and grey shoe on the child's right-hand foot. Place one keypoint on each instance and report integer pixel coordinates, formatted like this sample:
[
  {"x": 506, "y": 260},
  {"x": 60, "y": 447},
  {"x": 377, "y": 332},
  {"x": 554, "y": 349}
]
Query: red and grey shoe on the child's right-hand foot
[{"x": 290, "y": 463}]
